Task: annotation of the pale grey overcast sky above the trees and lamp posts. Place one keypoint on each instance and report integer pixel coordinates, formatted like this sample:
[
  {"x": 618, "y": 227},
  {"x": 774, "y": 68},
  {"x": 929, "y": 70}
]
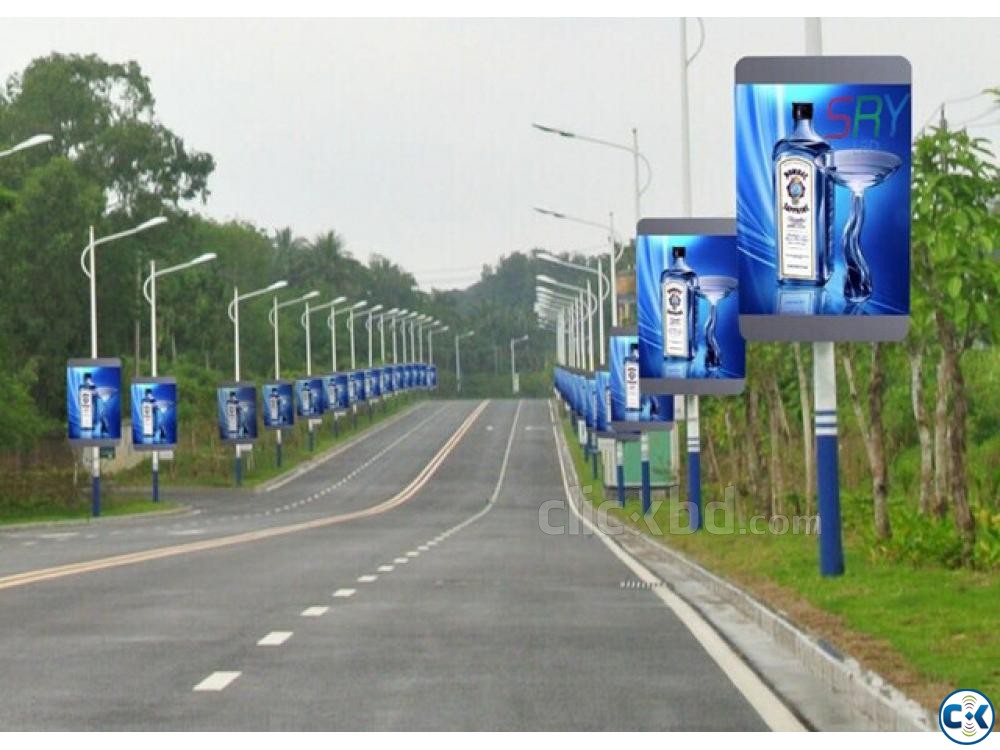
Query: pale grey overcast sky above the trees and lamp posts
[{"x": 412, "y": 138}]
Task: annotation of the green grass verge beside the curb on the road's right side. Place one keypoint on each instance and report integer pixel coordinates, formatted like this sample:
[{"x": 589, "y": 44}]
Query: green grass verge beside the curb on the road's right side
[{"x": 927, "y": 629}]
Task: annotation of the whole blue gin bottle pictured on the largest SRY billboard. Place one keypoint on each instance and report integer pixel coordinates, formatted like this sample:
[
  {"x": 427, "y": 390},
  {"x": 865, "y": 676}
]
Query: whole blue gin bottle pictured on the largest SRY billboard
[{"x": 803, "y": 204}]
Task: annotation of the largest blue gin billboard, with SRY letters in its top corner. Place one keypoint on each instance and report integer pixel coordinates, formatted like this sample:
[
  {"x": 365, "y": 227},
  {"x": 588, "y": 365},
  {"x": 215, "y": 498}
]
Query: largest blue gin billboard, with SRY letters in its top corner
[{"x": 823, "y": 197}]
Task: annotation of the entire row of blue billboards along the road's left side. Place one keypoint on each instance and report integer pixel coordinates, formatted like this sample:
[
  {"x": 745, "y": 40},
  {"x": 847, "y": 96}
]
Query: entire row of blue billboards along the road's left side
[{"x": 94, "y": 401}]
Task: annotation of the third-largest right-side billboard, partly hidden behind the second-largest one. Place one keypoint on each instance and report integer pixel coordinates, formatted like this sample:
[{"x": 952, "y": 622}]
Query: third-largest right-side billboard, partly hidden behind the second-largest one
[{"x": 632, "y": 410}]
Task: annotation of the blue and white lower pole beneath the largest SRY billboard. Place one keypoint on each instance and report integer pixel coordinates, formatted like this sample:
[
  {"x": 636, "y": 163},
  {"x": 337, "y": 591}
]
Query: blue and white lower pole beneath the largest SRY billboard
[{"x": 831, "y": 551}]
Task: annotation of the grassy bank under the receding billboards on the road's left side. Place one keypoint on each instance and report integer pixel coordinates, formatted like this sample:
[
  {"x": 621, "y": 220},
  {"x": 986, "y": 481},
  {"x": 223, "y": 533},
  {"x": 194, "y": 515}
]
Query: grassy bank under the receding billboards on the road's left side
[{"x": 209, "y": 463}]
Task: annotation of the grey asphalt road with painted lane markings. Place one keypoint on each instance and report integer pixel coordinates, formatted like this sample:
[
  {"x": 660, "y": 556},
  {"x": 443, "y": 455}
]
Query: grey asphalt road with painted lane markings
[{"x": 406, "y": 584}]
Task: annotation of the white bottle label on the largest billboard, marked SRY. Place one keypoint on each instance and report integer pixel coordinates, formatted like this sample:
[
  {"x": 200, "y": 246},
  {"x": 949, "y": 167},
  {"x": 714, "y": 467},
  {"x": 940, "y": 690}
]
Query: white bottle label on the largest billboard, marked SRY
[{"x": 796, "y": 181}]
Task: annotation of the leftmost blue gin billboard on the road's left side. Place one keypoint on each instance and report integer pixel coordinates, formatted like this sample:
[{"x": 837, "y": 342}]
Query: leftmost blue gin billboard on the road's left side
[{"x": 93, "y": 401}]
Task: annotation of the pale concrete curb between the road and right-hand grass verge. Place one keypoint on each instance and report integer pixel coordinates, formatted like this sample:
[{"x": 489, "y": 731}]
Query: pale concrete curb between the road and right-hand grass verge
[{"x": 865, "y": 692}]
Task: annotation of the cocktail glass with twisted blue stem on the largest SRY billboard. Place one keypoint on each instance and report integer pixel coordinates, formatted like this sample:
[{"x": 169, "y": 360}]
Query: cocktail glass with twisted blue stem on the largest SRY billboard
[{"x": 857, "y": 170}]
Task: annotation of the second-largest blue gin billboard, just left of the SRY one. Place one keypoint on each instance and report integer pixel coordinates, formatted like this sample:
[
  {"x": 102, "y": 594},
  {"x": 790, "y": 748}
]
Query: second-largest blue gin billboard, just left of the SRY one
[{"x": 687, "y": 298}]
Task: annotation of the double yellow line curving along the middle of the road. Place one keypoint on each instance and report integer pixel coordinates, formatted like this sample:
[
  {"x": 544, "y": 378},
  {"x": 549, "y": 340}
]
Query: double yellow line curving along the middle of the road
[{"x": 90, "y": 566}]
